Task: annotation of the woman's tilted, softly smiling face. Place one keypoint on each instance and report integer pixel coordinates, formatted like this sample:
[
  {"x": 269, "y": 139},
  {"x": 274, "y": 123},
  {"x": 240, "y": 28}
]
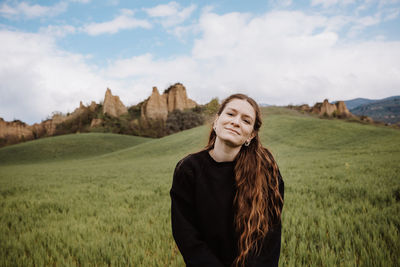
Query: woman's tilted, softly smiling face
[{"x": 235, "y": 124}]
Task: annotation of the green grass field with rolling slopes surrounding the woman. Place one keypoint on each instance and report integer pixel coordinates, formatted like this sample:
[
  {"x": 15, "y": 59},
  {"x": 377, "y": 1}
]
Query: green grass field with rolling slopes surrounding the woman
[{"x": 102, "y": 199}]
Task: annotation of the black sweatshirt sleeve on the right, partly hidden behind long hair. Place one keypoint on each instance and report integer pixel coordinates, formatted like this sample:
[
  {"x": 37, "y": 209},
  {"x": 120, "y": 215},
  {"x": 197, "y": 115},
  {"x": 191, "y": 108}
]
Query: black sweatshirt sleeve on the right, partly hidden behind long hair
[{"x": 270, "y": 250}]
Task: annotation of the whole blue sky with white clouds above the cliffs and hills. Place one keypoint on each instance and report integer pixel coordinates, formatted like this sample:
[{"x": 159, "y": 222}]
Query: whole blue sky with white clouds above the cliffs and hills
[{"x": 54, "y": 54}]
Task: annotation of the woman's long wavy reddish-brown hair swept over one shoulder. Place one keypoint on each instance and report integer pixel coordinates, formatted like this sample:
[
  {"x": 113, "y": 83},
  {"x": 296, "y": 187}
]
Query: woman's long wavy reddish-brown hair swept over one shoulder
[{"x": 258, "y": 201}]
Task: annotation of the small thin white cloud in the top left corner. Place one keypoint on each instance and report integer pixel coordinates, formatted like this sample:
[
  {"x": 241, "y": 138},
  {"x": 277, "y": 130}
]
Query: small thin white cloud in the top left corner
[{"x": 29, "y": 11}]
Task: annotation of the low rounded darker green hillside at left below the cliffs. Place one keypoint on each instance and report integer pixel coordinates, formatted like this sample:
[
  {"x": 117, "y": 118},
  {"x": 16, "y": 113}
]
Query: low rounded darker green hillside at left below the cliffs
[{"x": 71, "y": 146}]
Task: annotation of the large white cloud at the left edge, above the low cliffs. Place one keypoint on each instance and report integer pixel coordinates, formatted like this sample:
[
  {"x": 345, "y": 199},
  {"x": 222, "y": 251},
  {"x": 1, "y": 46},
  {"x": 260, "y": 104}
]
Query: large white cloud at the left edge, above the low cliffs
[{"x": 37, "y": 78}]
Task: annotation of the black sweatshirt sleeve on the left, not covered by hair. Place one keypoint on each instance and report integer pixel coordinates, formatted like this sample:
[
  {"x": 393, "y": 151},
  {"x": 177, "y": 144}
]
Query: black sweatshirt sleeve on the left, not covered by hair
[{"x": 195, "y": 251}]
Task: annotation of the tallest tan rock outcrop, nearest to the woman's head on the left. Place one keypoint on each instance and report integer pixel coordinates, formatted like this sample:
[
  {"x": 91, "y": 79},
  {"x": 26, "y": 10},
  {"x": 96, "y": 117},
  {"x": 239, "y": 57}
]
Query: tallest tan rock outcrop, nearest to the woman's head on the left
[{"x": 158, "y": 106}]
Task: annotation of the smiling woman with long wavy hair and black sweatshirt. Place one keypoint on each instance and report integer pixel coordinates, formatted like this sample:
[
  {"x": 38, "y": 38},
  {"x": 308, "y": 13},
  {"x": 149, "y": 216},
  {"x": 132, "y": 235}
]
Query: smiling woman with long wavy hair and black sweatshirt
[{"x": 226, "y": 200}]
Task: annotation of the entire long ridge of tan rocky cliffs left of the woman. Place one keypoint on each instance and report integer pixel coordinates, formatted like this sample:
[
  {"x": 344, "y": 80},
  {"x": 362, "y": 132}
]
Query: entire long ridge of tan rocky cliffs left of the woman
[{"x": 84, "y": 118}]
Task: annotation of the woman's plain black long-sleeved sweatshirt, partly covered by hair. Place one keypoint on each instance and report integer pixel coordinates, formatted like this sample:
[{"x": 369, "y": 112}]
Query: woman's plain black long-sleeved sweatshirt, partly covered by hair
[{"x": 202, "y": 214}]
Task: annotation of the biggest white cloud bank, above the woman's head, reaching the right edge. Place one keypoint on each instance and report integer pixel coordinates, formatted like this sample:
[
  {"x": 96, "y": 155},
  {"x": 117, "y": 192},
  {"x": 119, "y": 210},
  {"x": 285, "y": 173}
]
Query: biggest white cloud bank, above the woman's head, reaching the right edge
[{"x": 278, "y": 58}]
